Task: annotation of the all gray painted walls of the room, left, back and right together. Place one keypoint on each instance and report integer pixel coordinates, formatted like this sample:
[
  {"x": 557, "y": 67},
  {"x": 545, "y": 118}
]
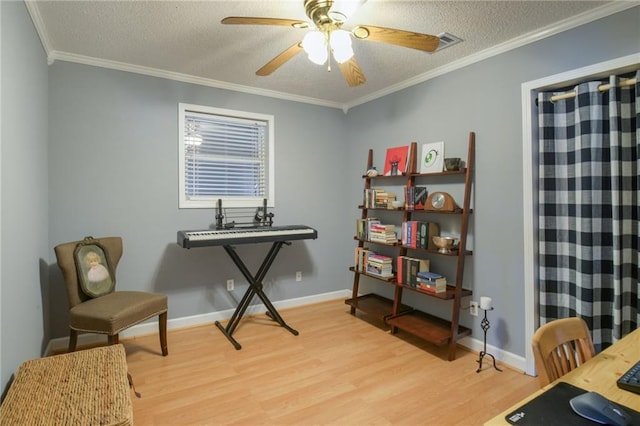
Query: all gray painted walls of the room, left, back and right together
[{"x": 111, "y": 164}]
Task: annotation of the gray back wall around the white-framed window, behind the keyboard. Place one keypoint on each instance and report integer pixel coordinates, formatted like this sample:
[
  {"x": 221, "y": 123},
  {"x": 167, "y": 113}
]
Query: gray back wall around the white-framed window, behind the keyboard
[{"x": 114, "y": 171}]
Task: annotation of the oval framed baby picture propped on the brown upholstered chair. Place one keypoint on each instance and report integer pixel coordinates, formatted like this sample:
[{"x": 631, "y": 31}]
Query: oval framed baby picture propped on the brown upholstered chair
[{"x": 94, "y": 268}]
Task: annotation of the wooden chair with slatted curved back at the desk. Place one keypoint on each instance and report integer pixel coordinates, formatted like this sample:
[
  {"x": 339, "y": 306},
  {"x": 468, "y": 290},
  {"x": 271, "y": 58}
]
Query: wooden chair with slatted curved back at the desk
[{"x": 560, "y": 346}]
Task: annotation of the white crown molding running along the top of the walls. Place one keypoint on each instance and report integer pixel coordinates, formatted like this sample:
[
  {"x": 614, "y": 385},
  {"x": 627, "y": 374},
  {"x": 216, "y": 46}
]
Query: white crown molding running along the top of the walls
[{"x": 569, "y": 23}]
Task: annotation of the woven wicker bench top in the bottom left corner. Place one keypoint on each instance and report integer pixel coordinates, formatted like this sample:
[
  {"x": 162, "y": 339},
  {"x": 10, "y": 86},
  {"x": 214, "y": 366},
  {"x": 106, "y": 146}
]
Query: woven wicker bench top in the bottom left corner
[{"x": 87, "y": 387}]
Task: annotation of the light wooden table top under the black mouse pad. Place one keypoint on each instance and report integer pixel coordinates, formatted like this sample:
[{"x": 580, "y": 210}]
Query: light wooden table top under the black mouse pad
[{"x": 599, "y": 374}]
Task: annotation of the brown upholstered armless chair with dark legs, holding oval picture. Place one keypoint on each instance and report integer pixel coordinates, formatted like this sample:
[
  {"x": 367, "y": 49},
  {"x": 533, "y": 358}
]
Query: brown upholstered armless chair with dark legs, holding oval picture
[{"x": 88, "y": 268}]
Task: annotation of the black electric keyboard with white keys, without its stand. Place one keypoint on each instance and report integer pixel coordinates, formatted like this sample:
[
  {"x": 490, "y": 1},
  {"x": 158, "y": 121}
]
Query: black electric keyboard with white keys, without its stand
[{"x": 262, "y": 234}]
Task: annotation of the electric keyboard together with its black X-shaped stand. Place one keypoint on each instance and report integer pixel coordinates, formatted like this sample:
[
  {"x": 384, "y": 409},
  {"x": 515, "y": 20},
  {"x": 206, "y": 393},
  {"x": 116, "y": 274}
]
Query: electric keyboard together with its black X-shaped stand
[{"x": 278, "y": 236}]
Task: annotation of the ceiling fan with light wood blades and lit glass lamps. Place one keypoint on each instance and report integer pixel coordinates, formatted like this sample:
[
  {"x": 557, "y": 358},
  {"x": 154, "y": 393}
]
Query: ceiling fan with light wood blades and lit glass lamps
[{"x": 326, "y": 37}]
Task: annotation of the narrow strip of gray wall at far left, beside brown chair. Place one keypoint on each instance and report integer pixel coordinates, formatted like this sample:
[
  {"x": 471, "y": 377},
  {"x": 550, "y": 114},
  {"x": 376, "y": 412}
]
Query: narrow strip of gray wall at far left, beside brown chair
[{"x": 24, "y": 225}]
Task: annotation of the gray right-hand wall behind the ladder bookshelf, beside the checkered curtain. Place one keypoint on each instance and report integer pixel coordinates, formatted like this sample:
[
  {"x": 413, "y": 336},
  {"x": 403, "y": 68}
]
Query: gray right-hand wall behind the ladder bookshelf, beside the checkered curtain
[{"x": 485, "y": 98}]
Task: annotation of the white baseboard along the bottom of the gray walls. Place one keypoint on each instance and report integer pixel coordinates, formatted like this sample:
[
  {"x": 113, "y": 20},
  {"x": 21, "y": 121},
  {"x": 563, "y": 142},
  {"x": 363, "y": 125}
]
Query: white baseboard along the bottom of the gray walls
[{"x": 60, "y": 344}]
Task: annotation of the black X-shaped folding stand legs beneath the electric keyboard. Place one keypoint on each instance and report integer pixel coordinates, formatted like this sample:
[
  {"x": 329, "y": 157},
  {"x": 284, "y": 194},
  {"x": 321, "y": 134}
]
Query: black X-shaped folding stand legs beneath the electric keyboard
[{"x": 255, "y": 288}]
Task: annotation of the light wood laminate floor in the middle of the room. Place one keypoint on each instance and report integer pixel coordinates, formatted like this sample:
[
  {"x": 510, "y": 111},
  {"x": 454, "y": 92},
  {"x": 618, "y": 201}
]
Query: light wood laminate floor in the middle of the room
[{"x": 340, "y": 370}]
